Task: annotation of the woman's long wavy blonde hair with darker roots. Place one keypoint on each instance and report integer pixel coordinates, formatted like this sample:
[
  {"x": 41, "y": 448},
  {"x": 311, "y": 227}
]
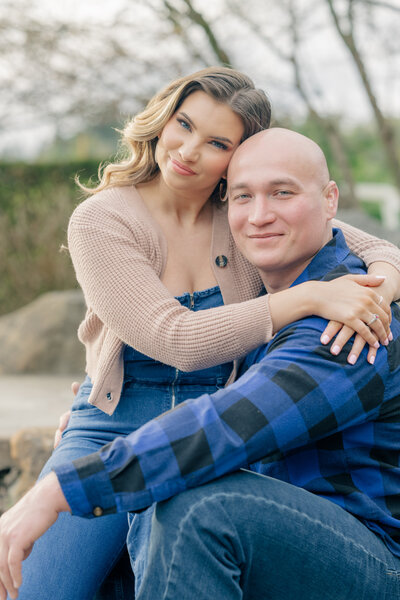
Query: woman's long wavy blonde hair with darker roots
[{"x": 140, "y": 135}]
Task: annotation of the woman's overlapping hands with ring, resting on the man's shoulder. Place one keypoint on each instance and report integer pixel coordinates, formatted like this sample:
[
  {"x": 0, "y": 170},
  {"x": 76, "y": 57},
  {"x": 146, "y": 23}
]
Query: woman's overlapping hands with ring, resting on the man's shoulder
[{"x": 369, "y": 318}]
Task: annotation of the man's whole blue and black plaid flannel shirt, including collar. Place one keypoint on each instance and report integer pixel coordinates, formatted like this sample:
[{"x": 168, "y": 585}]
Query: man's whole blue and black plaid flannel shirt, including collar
[{"x": 297, "y": 413}]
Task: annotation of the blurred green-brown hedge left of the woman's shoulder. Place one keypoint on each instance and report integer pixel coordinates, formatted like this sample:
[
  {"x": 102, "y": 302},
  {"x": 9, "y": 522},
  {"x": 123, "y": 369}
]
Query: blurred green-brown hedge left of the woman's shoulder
[{"x": 36, "y": 202}]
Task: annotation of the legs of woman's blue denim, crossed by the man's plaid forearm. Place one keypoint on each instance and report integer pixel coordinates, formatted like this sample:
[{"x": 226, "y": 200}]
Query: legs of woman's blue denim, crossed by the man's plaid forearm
[{"x": 72, "y": 559}]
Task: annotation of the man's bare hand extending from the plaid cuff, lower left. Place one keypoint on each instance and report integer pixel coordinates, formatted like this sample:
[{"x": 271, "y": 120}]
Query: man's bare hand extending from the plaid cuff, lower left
[{"x": 22, "y": 525}]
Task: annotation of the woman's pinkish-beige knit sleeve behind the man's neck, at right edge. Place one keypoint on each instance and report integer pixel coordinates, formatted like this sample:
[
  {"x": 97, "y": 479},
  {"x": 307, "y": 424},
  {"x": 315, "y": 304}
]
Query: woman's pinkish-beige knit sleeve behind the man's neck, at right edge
[{"x": 368, "y": 247}]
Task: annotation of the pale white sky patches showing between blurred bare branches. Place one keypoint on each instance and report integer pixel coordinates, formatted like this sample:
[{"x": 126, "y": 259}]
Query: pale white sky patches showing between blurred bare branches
[{"x": 330, "y": 75}]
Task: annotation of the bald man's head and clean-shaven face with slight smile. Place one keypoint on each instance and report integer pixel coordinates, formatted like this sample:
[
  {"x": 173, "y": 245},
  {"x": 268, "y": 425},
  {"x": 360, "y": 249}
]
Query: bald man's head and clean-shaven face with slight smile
[{"x": 279, "y": 205}]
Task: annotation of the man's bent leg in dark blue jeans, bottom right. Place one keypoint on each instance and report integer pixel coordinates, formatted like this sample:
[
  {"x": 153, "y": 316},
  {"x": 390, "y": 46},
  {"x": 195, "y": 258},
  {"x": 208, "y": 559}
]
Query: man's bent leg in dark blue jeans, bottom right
[{"x": 254, "y": 537}]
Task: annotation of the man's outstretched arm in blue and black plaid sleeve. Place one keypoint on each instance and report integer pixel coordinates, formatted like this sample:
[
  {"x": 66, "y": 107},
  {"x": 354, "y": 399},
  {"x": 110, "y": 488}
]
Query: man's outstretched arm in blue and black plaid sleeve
[{"x": 297, "y": 393}]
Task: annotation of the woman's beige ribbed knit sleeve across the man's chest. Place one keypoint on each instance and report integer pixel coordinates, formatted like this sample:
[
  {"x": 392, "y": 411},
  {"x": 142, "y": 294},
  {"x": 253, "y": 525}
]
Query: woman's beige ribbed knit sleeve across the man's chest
[{"x": 118, "y": 261}]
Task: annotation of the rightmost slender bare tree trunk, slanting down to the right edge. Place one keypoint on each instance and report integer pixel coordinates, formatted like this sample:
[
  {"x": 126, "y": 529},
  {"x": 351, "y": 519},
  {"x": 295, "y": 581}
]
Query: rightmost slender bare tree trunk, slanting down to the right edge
[{"x": 385, "y": 130}]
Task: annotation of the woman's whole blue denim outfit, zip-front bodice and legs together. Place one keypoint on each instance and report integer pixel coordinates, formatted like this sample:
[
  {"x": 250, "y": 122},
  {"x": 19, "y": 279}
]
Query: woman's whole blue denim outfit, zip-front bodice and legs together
[{"x": 75, "y": 555}]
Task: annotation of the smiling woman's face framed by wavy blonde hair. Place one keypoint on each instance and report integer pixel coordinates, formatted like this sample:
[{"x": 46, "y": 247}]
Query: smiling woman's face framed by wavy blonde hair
[{"x": 196, "y": 145}]
